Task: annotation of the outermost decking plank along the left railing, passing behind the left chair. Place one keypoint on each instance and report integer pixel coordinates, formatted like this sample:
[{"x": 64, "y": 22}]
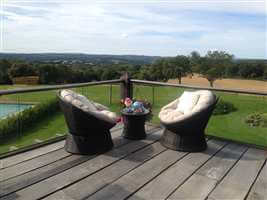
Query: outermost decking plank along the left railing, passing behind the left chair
[{"x": 24, "y": 156}]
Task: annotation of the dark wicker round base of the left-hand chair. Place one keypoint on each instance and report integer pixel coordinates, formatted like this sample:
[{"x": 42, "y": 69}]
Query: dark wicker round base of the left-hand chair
[{"x": 88, "y": 145}]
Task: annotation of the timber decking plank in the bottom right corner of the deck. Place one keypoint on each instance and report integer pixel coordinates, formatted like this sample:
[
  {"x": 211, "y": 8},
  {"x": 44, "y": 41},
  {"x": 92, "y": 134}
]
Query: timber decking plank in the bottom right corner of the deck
[{"x": 259, "y": 189}]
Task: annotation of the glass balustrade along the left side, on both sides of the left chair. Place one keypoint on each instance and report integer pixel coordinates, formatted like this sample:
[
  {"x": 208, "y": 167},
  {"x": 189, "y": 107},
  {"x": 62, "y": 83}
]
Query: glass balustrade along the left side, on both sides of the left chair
[{"x": 35, "y": 117}]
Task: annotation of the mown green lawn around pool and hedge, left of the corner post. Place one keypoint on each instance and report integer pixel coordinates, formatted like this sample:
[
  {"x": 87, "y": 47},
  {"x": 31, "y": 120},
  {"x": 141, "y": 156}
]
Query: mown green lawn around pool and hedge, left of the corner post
[{"x": 55, "y": 124}]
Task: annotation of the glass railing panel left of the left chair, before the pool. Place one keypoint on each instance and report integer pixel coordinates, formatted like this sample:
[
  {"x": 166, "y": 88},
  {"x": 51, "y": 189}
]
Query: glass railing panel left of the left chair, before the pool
[{"x": 40, "y": 121}]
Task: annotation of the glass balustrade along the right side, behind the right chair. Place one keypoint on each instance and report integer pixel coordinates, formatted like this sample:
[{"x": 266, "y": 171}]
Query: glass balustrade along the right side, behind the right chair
[{"x": 229, "y": 125}]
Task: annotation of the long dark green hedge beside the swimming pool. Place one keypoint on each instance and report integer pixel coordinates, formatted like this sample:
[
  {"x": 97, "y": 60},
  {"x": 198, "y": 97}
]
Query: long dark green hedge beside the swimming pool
[{"x": 24, "y": 120}]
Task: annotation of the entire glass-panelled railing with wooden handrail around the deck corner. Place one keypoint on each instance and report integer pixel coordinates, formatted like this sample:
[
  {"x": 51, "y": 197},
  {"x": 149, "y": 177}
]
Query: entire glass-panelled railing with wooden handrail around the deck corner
[{"x": 19, "y": 132}]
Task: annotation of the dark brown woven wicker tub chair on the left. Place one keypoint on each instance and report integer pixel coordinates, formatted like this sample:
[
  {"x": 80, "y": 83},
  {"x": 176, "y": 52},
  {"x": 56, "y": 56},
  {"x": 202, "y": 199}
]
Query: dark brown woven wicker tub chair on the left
[{"x": 88, "y": 130}]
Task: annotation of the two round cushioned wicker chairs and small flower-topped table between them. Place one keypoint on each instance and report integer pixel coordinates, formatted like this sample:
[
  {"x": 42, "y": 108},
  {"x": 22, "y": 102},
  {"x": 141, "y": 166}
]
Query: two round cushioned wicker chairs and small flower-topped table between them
[{"x": 89, "y": 123}]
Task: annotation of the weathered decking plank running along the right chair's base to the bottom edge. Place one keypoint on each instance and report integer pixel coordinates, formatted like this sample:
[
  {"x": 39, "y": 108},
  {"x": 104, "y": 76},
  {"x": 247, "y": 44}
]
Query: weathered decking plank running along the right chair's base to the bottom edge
[{"x": 163, "y": 185}]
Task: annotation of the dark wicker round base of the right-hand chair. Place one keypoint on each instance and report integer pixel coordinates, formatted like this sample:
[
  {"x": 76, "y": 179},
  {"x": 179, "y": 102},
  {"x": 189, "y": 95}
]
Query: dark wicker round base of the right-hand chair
[{"x": 184, "y": 142}]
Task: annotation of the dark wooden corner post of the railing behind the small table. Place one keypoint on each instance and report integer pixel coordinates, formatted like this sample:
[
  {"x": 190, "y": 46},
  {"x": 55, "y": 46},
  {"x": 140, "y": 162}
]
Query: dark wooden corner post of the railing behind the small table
[{"x": 126, "y": 86}]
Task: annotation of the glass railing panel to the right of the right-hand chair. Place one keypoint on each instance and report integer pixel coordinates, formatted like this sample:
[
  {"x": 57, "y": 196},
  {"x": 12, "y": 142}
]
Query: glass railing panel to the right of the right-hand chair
[{"x": 234, "y": 125}]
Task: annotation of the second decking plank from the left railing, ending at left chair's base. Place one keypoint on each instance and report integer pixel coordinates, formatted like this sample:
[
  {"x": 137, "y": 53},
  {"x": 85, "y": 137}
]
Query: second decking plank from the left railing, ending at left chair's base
[{"x": 32, "y": 164}]
